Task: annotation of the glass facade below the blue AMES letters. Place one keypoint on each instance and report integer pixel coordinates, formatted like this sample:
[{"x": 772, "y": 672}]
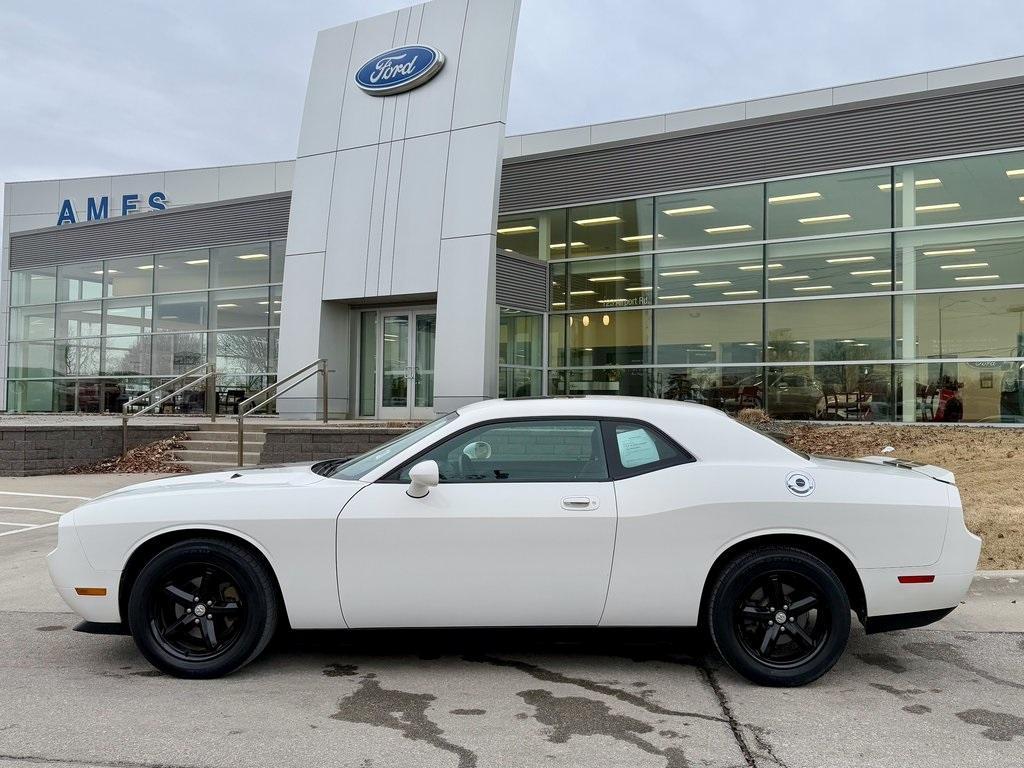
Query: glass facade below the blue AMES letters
[{"x": 90, "y": 336}]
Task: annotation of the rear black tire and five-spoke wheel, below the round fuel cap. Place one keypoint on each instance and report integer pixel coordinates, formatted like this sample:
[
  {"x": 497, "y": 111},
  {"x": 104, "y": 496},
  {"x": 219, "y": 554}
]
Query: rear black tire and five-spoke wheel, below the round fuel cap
[{"x": 747, "y": 627}]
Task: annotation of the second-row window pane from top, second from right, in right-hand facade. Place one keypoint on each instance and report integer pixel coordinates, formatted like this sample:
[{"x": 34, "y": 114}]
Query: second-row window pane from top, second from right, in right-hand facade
[{"x": 823, "y": 268}]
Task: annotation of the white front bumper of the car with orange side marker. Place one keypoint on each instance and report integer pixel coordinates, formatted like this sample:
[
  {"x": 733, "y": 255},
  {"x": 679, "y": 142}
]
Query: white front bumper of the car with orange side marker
[{"x": 70, "y": 569}]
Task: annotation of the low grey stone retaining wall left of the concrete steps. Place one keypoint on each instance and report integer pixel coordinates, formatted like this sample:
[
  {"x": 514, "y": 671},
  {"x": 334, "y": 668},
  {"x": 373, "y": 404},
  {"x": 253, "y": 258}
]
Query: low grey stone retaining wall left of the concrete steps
[{"x": 50, "y": 450}]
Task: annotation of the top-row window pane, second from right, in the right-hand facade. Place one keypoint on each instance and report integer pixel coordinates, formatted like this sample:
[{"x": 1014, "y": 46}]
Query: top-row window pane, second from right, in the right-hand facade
[{"x": 828, "y": 204}]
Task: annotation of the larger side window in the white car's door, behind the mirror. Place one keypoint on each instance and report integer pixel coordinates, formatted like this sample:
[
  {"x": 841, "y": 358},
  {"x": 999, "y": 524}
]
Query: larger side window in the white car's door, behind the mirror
[{"x": 538, "y": 451}]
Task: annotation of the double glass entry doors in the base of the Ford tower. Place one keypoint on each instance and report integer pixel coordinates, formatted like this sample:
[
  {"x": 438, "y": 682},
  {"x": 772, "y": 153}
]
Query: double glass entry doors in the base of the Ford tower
[{"x": 407, "y": 361}]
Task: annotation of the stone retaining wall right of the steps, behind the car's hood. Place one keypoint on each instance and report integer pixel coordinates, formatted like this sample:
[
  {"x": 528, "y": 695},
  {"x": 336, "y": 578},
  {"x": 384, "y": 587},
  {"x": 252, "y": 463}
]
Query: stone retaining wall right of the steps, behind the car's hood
[{"x": 288, "y": 445}]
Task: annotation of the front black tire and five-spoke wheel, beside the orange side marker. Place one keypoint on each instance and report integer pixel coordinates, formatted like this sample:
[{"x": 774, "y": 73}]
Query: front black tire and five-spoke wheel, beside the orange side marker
[{"x": 203, "y": 609}]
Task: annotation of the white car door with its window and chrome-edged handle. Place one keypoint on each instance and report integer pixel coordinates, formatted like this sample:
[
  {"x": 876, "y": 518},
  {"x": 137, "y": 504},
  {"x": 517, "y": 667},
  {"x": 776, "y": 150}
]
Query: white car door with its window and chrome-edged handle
[{"x": 520, "y": 532}]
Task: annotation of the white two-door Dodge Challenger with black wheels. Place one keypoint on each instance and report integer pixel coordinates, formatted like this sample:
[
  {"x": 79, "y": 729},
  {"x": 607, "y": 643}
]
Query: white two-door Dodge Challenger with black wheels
[{"x": 571, "y": 511}]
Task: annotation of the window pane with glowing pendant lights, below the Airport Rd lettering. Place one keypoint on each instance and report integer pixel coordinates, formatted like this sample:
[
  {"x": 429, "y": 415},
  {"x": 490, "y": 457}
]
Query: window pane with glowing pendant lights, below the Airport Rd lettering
[{"x": 610, "y": 338}]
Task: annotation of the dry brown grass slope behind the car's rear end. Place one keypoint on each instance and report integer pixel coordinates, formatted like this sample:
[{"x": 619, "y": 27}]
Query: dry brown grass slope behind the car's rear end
[{"x": 989, "y": 464}]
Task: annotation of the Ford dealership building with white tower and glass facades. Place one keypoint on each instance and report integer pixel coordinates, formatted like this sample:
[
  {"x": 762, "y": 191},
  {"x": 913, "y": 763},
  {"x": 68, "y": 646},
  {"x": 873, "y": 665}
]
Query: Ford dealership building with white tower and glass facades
[{"x": 854, "y": 253}]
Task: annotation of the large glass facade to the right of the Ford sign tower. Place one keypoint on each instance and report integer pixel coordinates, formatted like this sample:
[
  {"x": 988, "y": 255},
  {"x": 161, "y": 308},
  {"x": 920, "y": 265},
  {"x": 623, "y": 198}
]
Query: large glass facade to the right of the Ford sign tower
[{"x": 892, "y": 293}]
